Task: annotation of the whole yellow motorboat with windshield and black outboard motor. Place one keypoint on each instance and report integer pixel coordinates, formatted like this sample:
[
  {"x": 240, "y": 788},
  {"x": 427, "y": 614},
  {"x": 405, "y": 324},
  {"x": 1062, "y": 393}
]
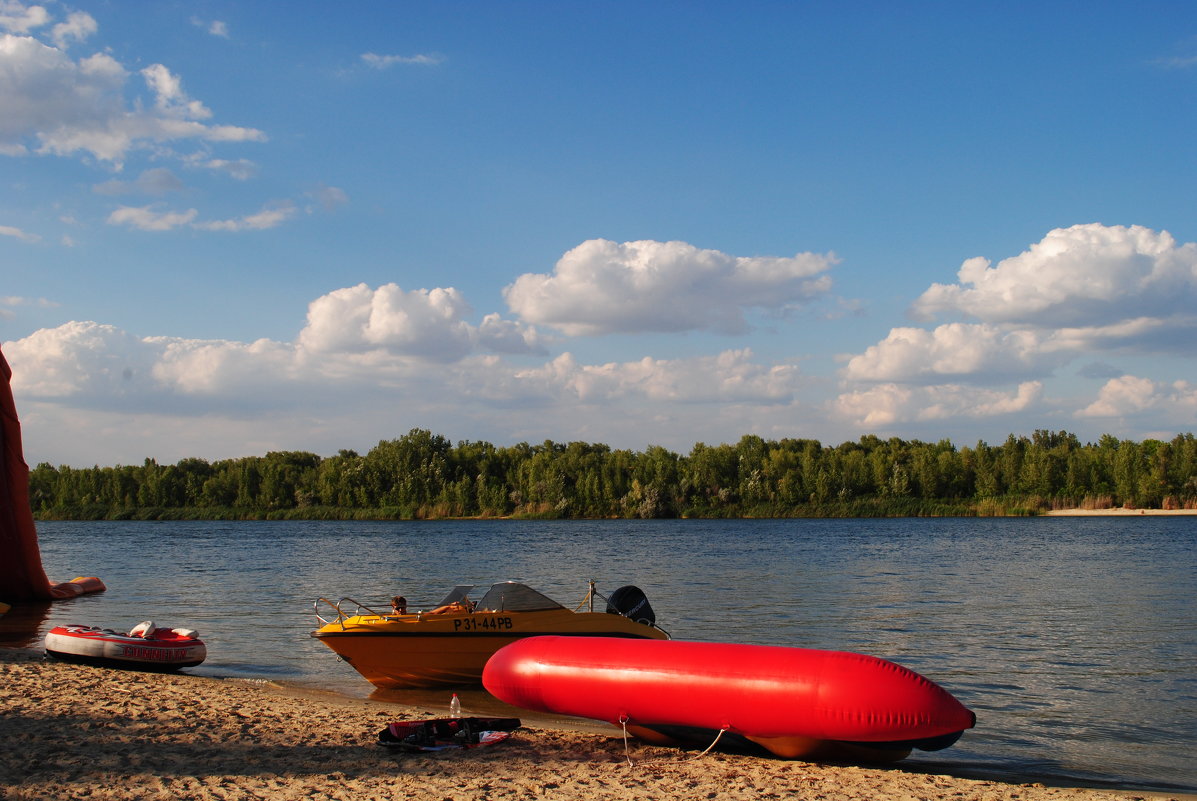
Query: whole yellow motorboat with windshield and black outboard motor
[{"x": 449, "y": 645}]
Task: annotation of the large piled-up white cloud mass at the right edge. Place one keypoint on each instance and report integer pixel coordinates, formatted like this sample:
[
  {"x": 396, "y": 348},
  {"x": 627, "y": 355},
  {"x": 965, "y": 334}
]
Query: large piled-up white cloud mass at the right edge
[{"x": 1080, "y": 292}]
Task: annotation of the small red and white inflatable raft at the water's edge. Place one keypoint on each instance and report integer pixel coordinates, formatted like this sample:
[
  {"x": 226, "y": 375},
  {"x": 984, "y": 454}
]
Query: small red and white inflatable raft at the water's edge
[{"x": 145, "y": 648}]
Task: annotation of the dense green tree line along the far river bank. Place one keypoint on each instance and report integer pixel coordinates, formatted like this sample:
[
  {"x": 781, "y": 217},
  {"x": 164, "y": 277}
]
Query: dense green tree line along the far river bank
[{"x": 424, "y": 476}]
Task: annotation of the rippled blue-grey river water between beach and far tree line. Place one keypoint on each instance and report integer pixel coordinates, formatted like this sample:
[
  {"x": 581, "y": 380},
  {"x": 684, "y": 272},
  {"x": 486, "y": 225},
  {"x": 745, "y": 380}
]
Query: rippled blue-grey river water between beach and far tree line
[{"x": 1074, "y": 640}]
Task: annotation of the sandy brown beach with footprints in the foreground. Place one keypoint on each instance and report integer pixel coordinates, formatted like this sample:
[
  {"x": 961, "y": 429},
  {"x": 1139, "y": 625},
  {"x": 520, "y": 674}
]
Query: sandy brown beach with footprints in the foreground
[{"x": 72, "y": 732}]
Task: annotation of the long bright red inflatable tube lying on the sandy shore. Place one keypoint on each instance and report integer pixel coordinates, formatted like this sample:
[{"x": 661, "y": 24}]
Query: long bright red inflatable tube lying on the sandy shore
[{"x": 794, "y": 702}]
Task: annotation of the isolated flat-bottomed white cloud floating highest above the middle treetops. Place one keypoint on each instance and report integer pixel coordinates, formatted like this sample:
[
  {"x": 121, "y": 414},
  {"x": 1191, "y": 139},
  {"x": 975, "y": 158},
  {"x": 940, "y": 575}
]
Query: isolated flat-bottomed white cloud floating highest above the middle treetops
[{"x": 603, "y": 288}]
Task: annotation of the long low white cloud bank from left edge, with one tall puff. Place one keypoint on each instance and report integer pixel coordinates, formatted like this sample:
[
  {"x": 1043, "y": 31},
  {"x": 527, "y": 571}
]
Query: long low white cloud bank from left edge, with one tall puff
[{"x": 388, "y": 351}]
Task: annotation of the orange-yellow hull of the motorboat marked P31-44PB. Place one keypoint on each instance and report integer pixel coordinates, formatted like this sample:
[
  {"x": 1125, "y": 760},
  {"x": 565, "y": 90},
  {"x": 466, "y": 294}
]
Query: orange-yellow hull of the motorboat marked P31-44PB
[{"x": 414, "y": 652}]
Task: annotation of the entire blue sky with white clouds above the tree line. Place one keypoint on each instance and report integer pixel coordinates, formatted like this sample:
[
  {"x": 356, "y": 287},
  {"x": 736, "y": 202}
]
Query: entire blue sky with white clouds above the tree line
[{"x": 235, "y": 228}]
